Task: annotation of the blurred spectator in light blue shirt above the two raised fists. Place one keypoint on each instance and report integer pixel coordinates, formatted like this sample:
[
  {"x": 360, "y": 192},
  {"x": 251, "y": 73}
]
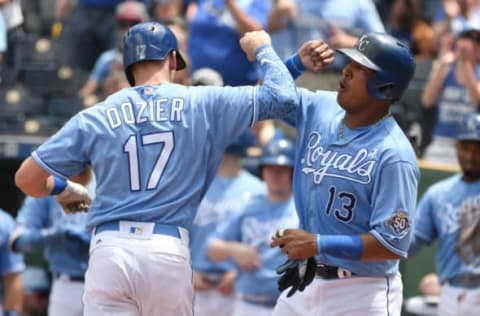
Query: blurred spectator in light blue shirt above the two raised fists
[{"x": 337, "y": 22}]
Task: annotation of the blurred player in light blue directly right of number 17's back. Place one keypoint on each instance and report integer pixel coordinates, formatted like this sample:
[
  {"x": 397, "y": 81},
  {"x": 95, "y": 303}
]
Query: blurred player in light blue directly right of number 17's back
[{"x": 231, "y": 188}]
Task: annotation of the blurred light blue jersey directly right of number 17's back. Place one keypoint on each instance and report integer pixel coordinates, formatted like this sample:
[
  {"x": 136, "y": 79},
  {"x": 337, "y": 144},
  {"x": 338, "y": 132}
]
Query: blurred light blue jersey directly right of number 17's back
[{"x": 224, "y": 198}]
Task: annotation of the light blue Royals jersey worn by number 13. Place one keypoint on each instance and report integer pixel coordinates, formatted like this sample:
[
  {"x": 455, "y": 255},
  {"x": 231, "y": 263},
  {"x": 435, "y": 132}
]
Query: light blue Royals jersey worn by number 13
[{"x": 352, "y": 182}]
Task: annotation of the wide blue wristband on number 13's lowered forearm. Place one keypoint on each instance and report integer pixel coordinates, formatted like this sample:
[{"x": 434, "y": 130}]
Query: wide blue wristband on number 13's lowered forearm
[{"x": 340, "y": 246}]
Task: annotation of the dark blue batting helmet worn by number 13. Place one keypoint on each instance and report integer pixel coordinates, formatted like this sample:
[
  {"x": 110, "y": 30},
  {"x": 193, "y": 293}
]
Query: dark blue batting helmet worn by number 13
[{"x": 389, "y": 58}]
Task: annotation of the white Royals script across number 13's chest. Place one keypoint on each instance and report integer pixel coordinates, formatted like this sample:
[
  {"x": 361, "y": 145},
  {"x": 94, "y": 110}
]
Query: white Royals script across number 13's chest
[{"x": 323, "y": 163}]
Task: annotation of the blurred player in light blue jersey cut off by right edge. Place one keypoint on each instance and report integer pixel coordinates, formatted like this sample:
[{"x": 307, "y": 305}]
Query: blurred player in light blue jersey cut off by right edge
[{"x": 449, "y": 212}]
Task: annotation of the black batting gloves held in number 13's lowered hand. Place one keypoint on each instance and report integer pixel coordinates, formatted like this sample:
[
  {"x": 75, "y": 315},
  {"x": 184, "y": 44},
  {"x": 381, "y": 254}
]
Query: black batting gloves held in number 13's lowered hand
[{"x": 297, "y": 274}]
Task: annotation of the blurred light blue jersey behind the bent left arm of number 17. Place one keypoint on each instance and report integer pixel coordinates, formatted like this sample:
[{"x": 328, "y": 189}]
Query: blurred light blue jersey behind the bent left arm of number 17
[{"x": 46, "y": 213}]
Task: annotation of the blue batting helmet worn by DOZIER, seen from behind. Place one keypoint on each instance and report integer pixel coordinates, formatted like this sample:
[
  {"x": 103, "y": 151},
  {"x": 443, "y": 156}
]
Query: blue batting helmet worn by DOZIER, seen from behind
[{"x": 148, "y": 41}]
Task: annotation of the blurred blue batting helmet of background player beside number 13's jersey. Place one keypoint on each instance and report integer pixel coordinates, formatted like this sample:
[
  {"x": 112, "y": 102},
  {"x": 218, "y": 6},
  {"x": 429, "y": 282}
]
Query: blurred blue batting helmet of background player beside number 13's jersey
[{"x": 279, "y": 152}]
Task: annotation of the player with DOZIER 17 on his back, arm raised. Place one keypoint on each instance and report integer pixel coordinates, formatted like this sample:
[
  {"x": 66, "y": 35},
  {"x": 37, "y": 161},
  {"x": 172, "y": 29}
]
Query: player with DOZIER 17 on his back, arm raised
[{"x": 154, "y": 149}]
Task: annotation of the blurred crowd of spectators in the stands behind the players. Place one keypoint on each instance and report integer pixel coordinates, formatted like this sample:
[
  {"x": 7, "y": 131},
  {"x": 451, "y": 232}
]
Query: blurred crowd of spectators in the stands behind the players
[{"x": 60, "y": 56}]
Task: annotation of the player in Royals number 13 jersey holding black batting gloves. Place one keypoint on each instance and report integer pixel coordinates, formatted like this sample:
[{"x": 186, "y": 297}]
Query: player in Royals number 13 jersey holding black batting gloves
[{"x": 355, "y": 187}]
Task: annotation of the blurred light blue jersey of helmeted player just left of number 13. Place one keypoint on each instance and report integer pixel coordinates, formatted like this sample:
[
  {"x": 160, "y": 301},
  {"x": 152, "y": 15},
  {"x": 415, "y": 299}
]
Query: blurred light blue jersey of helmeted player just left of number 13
[{"x": 253, "y": 226}]
